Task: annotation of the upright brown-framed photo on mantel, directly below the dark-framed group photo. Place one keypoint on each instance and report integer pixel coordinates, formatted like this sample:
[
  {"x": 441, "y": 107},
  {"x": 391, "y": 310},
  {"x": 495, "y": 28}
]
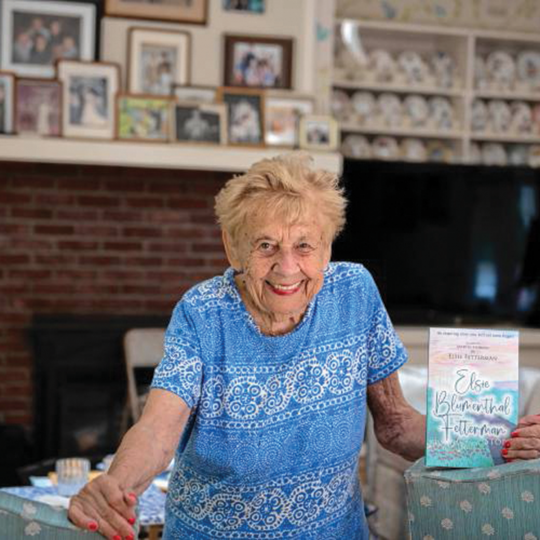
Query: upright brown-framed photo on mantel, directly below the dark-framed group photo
[{"x": 245, "y": 115}]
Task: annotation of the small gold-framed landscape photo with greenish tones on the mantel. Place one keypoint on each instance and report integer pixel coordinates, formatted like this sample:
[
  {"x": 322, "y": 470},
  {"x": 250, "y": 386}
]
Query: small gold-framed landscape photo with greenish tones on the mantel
[{"x": 144, "y": 118}]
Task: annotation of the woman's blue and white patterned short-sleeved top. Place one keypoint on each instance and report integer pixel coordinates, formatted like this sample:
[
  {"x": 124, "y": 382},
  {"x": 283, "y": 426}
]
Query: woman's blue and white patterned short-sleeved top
[{"x": 271, "y": 448}]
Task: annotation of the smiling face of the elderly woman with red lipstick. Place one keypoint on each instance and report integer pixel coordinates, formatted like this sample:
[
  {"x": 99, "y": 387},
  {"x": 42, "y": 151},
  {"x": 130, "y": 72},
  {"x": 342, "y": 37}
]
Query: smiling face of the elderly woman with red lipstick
[{"x": 282, "y": 265}]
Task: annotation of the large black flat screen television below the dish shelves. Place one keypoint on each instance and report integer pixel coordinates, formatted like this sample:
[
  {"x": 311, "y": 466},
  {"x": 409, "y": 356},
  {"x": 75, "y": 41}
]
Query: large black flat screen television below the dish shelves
[{"x": 446, "y": 244}]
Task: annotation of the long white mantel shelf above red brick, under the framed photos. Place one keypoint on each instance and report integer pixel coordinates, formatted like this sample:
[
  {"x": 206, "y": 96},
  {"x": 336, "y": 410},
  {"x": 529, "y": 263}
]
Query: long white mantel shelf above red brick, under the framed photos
[{"x": 146, "y": 155}]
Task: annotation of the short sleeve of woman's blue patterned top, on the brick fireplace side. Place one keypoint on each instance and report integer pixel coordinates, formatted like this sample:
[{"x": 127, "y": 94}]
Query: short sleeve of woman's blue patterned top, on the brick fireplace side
[{"x": 180, "y": 369}]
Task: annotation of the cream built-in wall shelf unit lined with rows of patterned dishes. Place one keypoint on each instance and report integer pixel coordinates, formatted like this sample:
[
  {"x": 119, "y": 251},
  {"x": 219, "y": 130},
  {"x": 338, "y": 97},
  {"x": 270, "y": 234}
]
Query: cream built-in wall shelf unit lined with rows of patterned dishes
[{"x": 357, "y": 72}]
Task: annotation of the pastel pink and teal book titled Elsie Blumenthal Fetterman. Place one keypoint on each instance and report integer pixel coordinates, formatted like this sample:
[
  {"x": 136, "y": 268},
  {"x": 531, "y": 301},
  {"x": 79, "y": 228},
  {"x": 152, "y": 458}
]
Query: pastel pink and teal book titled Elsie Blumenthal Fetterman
[{"x": 472, "y": 396}]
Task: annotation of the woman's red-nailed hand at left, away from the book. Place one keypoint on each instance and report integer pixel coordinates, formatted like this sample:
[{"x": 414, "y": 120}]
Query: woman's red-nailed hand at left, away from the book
[{"x": 103, "y": 506}]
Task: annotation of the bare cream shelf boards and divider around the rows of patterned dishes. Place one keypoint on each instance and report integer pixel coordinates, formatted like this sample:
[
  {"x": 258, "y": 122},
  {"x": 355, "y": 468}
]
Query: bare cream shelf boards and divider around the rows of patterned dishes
[{"x": 463, "y": 45}]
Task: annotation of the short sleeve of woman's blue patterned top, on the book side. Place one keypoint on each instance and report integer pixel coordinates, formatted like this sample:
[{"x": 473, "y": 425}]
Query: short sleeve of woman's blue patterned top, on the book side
[{"x": 386, "y": 353}]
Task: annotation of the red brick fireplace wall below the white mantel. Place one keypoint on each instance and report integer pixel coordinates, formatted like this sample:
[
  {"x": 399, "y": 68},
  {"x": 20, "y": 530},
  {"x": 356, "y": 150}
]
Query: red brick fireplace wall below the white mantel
[{"x": 87, "y": 240}]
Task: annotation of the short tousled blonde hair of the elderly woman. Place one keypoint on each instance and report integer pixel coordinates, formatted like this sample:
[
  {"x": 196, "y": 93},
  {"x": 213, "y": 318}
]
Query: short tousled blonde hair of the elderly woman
[{"x": 283, "y": 187}]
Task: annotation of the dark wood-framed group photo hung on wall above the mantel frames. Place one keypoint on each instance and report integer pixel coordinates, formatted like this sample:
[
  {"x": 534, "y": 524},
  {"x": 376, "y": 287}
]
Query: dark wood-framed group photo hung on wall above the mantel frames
[{"x": 258, "y": 62}]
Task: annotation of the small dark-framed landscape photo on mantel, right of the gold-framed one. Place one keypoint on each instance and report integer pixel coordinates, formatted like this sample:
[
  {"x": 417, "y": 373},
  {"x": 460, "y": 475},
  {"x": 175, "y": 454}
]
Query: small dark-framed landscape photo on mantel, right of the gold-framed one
[{"x": 200, "y": 123}]
